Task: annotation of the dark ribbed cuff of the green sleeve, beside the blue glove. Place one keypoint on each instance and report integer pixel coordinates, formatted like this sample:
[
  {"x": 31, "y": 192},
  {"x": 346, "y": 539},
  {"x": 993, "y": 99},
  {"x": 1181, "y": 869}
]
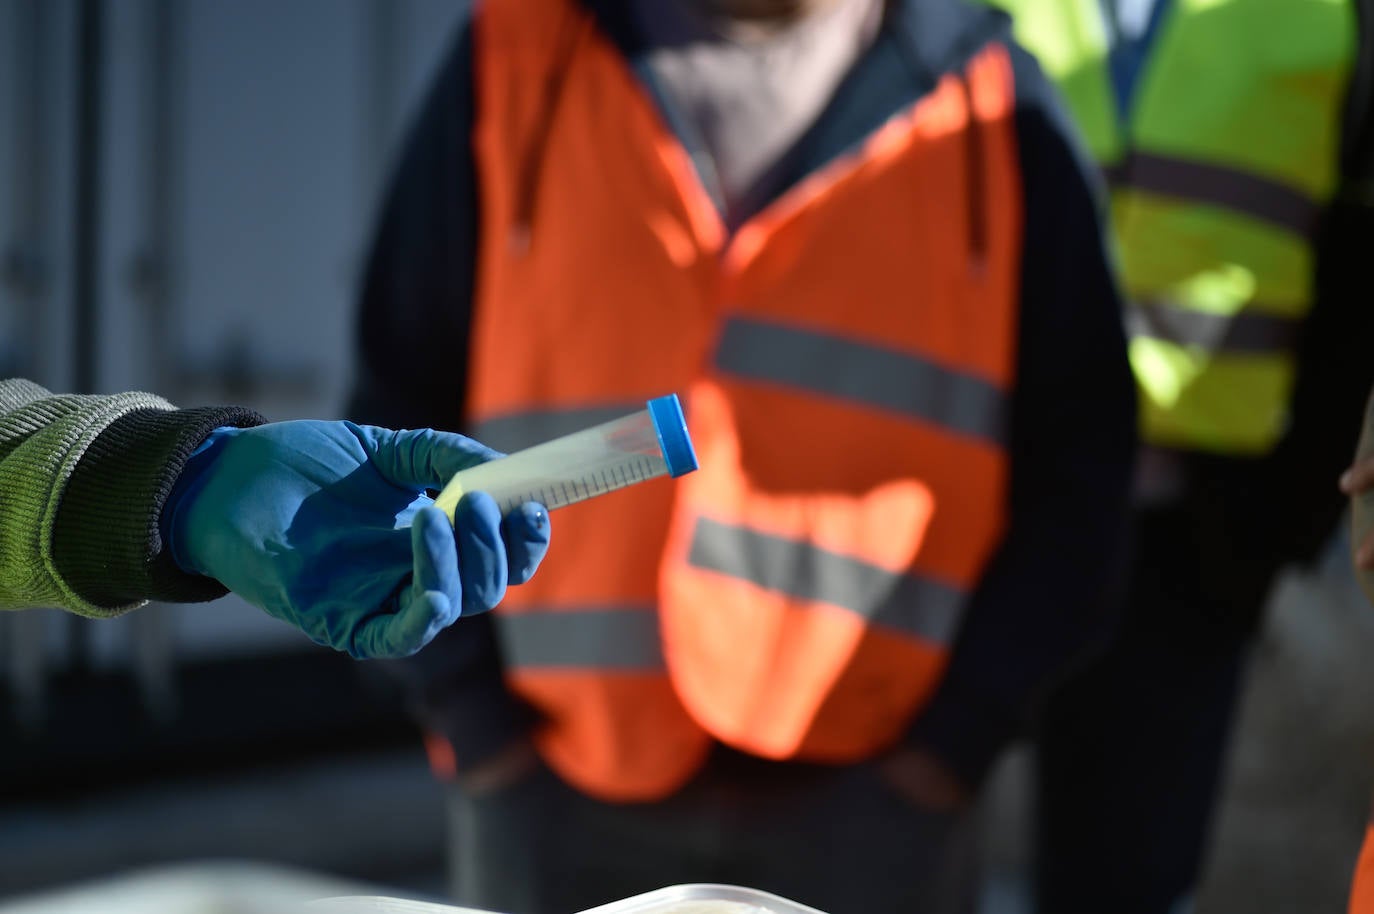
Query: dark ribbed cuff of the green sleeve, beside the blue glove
[{"x": 106, "y": 538}]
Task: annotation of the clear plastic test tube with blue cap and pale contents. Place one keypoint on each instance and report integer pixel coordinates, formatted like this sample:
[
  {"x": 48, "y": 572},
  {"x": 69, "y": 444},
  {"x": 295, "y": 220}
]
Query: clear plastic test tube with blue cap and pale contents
[{"x": 578, "y": 467}]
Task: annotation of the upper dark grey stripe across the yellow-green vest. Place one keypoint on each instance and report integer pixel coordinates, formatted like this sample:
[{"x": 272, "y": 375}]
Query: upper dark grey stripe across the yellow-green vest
[{"x": 1258, "y": 197}]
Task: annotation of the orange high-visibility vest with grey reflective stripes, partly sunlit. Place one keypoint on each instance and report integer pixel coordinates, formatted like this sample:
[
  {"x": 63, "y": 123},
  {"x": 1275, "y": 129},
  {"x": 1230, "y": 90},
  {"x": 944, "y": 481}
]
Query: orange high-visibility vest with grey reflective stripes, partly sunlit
[{"x": 846, "y": 358}]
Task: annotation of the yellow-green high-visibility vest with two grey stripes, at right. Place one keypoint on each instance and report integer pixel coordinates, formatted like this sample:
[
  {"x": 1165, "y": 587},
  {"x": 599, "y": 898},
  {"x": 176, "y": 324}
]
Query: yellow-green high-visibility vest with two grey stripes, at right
[{"x": 1221, "y": 171}]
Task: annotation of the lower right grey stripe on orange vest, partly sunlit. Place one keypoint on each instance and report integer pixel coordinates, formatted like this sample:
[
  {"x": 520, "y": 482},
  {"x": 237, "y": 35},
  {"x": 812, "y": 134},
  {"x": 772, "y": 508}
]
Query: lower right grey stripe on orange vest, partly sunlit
[{"x": 919, "y": 607}]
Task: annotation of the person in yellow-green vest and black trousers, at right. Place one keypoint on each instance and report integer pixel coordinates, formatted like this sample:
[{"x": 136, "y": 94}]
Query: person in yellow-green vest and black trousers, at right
[{"x": 1230, "y": 133}]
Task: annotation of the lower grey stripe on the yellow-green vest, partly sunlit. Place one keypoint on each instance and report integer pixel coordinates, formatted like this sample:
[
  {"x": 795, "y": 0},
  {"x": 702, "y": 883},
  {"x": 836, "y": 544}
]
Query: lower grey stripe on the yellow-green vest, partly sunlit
[{"x": 1248, "y": 332}]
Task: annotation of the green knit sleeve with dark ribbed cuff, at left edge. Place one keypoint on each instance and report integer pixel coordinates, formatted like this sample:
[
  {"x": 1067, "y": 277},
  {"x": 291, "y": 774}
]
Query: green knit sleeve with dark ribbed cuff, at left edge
[{"x": 82, "y": 487}]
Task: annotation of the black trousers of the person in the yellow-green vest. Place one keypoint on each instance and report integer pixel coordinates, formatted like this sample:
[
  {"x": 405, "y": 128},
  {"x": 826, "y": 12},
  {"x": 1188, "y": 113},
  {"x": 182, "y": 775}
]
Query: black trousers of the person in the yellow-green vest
[{"x": 1131, "y": 751}]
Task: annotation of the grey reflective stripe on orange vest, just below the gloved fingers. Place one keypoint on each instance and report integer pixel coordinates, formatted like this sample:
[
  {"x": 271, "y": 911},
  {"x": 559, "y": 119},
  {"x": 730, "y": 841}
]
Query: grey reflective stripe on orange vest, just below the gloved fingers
[{"x": 623, "y": 638}]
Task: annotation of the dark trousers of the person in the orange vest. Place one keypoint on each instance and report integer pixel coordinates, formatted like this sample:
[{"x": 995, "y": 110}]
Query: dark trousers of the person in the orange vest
[{"x": 837, "y": 839}]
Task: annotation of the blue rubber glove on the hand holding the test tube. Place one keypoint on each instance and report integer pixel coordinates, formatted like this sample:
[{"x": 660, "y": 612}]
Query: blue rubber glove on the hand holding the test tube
[{"x": 328, "y": 527}]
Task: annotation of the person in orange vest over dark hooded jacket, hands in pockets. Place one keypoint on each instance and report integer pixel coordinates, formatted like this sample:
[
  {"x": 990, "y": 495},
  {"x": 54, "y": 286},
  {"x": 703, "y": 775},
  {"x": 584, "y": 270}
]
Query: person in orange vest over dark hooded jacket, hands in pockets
[{"x": 858, "y": 240}]
